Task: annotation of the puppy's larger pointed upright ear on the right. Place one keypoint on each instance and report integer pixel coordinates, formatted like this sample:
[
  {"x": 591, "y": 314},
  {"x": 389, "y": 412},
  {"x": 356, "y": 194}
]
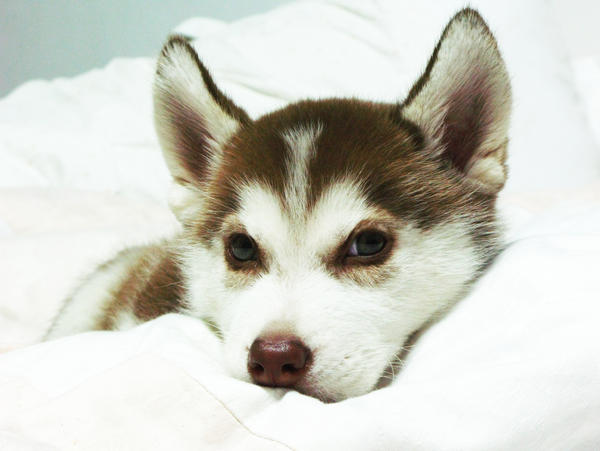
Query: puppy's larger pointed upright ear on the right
[{"x": 462, "y": 102}]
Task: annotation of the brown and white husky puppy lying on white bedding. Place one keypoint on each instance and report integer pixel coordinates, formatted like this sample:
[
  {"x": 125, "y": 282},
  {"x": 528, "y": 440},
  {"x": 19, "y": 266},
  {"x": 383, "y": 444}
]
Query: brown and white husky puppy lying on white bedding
[{"x": 316, "y": 239}]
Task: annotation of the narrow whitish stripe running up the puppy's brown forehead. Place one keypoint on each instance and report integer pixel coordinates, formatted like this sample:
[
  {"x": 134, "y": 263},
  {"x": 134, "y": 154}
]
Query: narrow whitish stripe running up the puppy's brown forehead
[{"x": 301, "y": 142}]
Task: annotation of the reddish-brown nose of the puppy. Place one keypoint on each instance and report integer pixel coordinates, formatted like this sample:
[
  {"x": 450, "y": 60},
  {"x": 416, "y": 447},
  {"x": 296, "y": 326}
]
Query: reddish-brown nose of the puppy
[{"x": 278, "y": 361}]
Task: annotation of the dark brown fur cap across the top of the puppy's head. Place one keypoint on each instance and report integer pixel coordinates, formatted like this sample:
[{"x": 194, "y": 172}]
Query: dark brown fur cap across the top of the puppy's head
[{"x": 363, "y": 141}]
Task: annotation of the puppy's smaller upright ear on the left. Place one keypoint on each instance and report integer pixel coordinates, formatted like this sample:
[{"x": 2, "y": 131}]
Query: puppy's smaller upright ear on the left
[{"x": 193, "y": 118}]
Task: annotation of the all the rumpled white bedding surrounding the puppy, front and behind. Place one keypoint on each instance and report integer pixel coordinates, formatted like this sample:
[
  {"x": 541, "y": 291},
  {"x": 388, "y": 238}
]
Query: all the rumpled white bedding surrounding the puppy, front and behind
[{"x": 516, "y": 365}]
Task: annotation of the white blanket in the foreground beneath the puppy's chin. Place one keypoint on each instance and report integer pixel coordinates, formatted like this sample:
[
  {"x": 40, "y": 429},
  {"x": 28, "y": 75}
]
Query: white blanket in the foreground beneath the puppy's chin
[{"x": 514, "y": 366}]
